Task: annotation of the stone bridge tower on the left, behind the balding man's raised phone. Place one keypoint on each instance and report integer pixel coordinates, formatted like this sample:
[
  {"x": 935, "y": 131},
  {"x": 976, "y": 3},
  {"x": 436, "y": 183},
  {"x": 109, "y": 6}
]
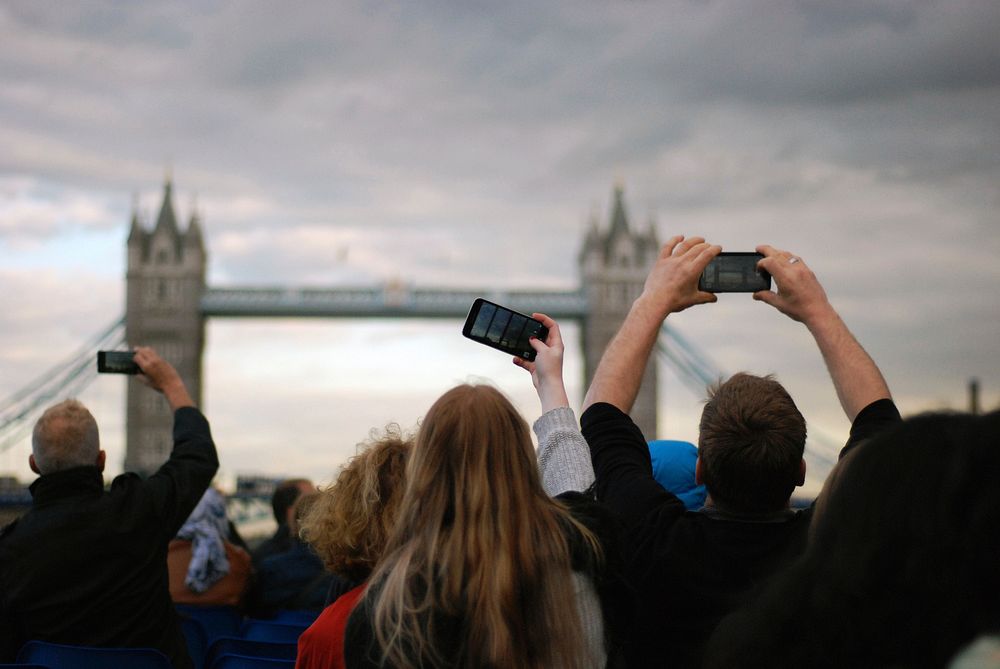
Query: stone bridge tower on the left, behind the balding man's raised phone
[{"x": 165, "y": 280}]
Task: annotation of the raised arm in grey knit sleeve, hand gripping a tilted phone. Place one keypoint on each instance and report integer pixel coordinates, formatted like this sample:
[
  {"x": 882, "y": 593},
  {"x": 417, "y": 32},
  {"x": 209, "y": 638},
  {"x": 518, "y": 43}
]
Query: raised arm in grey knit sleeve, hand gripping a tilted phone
[{"x": 563, "y": 455}]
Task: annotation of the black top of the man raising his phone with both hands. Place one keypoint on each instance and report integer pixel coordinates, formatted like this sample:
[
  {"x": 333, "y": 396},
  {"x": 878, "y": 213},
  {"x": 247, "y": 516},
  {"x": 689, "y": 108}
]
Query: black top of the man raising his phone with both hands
[{"x": 689, "y": 569}]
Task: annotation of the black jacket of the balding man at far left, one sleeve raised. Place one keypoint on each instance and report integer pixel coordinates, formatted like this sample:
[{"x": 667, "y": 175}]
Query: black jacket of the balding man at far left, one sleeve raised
[{"x": 88, "y": 566}]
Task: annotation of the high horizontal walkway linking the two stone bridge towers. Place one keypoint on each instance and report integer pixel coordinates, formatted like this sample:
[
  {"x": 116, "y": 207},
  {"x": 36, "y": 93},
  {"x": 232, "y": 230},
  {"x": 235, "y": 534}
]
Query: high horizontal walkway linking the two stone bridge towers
[{"x": 390, "y": 301}]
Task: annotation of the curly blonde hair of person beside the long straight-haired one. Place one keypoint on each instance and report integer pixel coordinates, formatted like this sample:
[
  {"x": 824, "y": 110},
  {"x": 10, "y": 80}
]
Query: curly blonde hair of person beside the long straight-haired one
[{"x": 350, "y": 522}]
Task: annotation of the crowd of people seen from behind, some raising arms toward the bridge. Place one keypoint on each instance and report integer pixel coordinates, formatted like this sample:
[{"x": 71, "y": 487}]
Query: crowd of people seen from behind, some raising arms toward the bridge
[{"x": 462, "y": 545}]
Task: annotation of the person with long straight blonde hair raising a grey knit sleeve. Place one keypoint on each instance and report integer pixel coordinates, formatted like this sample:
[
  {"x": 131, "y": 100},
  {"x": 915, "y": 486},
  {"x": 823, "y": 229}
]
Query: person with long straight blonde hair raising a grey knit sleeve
[{"x": 484, "y": 567}]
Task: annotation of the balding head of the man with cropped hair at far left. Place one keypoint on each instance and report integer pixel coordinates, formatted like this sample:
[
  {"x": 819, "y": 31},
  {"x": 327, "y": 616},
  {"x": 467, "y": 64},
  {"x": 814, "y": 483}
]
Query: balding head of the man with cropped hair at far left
[{"x": 65, "y": 436}]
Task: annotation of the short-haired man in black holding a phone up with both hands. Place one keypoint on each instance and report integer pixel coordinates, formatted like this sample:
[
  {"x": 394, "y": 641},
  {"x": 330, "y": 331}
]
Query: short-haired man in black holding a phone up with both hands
[{"x": 689, "y": 569}]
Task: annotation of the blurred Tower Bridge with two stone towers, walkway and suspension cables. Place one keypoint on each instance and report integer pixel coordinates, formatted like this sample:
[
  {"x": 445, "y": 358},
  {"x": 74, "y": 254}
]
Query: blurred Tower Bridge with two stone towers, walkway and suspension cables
[{"x": 168, "y": 303}]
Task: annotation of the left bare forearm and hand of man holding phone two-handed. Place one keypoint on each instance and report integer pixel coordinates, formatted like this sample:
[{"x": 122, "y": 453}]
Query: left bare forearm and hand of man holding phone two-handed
[{"x": 671, "y": 286}]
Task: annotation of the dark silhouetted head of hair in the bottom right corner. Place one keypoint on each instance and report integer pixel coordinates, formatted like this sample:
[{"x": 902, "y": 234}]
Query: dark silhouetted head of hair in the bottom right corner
[{"x": 902, "y": 567}]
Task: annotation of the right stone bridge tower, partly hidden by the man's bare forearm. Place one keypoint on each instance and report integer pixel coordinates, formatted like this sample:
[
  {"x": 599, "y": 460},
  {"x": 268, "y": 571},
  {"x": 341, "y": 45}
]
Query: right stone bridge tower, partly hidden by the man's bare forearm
[{"x": 614, "y": 266}]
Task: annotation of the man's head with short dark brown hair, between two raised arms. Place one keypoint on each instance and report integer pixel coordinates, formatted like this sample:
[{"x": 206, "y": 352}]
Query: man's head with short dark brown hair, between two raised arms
[{"x": 750, "y": 445}]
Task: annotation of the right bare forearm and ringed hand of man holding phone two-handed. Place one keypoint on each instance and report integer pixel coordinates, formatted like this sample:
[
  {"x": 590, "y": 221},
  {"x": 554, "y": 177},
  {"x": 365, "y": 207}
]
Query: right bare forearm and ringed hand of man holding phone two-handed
[{"x": 800, "y": 296}]
